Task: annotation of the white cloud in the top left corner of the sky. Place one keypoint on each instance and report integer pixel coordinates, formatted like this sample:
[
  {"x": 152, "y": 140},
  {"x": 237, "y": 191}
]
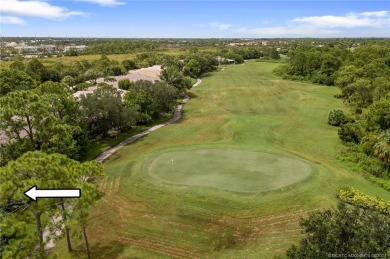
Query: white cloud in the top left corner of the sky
[{"x": 36, "y": 9}]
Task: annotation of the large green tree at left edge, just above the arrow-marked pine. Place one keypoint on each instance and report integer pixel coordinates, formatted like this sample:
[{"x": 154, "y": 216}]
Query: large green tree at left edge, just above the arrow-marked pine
[{"x": 39, "y": 120}]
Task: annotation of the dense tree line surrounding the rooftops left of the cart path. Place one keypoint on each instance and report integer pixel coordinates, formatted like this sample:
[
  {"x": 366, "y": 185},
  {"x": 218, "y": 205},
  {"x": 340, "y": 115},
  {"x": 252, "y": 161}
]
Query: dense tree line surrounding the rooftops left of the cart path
[{"x": 38, "y": 111}]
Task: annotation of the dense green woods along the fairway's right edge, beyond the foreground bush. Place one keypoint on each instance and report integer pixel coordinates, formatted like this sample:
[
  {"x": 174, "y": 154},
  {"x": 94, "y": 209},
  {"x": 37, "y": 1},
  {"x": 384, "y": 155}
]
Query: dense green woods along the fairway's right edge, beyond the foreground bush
[{"x": 363, "y": 75}]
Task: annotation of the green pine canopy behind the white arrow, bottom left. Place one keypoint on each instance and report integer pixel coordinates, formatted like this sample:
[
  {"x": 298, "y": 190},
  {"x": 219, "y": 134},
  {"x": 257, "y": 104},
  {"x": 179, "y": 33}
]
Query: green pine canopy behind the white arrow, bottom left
[{"x": 46, "y": 171}]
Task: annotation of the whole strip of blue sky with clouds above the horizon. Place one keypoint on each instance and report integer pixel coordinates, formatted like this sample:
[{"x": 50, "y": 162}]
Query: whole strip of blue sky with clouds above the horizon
[{"x": 194, "y": 19}]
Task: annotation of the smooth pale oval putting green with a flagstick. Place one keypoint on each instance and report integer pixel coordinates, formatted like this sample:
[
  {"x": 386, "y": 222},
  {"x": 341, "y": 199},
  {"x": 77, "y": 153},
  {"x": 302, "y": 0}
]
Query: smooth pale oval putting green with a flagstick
[{"x": 232, "y": 170}]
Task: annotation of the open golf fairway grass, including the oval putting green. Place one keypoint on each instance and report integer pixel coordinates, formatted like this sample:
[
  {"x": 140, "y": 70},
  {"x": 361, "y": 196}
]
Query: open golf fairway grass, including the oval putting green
[{"x": 253, "y": 153}]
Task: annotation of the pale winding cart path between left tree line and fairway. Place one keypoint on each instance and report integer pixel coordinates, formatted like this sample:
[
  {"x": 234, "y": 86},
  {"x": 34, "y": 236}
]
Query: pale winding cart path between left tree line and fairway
[{"x": 176, "y": 116}]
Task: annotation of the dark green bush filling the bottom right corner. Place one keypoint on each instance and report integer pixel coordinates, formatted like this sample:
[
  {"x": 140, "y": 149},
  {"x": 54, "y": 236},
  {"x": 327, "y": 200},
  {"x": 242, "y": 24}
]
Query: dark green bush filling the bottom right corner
[{"x": 342, "y": 230}]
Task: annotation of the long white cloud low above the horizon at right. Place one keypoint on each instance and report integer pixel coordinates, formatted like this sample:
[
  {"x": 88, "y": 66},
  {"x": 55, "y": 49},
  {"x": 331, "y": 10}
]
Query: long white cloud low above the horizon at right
[{"x": 324, "y": 26}]
